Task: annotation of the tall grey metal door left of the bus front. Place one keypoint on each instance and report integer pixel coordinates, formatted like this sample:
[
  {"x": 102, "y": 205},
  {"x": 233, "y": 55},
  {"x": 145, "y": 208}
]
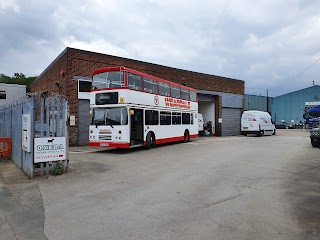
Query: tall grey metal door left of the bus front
[{"x": 84, "y": 121}]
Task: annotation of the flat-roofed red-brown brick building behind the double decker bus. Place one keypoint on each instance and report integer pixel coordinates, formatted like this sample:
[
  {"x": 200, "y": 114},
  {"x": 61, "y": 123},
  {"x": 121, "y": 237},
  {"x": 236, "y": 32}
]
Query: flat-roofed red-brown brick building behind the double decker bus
[{"x": 220, "y": 98}]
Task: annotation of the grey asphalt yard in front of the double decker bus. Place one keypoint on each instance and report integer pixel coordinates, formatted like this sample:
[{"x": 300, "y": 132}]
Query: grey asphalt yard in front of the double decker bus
[{"x": 210, "y": 188}]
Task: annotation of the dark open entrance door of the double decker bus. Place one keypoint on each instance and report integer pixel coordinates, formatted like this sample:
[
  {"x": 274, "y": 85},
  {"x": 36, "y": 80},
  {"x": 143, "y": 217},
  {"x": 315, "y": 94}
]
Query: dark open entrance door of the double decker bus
[{"x": 136, "y": 128}]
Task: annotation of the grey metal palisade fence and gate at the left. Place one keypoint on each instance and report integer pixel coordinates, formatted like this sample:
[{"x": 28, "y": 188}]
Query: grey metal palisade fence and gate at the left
[{"x": 48, "y": 116}]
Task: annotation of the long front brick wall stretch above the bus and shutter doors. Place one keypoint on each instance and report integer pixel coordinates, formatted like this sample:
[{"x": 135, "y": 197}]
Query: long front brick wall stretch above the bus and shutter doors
[{"x": 85, "y": 62}]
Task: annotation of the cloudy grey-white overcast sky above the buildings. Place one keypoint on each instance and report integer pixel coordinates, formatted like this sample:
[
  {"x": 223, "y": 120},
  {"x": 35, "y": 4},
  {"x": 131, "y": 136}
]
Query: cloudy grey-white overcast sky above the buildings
[{"x": 269, "y": 44}]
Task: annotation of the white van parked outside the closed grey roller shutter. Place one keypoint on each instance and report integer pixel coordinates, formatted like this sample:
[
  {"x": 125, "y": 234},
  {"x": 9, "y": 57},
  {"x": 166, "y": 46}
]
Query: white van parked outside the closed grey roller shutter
[{"x": 257, "y": 122}]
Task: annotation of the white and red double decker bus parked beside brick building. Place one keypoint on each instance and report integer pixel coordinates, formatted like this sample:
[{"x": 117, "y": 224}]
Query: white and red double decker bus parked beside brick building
[{"x": 132, "y": 109}]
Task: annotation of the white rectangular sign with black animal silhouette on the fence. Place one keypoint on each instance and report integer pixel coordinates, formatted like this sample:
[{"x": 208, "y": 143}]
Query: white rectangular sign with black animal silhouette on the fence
[{"x": 49, "y": 149}]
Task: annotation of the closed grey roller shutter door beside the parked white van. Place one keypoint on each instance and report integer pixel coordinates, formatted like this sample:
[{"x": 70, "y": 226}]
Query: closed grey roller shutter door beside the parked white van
[{"x": 231, "y": 121}]
